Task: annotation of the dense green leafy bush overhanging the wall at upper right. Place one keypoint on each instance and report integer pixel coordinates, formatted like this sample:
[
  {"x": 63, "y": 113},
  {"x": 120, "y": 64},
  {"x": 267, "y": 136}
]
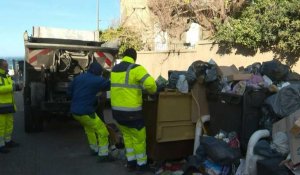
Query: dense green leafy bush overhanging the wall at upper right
[{"x": 268, "y": 25}]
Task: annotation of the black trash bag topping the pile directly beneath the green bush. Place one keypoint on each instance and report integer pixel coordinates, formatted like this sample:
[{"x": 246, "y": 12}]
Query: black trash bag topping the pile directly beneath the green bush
[{"x": 275, "y": 70}]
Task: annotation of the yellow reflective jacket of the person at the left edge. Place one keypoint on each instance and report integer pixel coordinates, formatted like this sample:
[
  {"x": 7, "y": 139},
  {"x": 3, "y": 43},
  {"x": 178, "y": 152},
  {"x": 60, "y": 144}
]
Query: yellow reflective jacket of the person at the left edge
[{"x": 6, "y": 89}]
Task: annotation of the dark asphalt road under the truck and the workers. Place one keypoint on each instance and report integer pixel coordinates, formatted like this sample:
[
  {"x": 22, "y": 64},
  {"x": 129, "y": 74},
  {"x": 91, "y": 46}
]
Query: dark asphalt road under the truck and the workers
[{"x": 61, "y": 149}]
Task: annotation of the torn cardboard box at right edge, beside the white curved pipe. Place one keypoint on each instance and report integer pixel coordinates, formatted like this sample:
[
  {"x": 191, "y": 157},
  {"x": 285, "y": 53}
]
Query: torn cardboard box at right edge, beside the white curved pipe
[{"x": 285, "y": 125}]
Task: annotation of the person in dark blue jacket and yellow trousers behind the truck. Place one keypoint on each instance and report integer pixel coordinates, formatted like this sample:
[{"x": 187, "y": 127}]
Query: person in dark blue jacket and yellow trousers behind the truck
[{"x": 83, "y": 91}]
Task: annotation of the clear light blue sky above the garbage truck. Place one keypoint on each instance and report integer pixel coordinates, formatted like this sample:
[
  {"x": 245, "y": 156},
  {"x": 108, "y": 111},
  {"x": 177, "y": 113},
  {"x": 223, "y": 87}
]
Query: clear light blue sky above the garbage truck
[{"x": 17, "y": 16}]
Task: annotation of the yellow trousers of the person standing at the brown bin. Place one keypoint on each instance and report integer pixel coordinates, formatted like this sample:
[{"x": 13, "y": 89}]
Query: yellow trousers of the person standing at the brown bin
[{"x": 135, "y": 143}]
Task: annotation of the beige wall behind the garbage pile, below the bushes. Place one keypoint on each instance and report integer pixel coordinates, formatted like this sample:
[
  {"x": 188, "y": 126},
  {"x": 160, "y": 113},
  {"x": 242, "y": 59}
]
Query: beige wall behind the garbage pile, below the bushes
[{"x": 158, "y": 63}]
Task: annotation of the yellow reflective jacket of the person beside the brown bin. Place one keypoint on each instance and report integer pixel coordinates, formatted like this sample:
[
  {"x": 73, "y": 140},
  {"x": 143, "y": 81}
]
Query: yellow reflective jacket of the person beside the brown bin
[{"x": 127, "y": 82}]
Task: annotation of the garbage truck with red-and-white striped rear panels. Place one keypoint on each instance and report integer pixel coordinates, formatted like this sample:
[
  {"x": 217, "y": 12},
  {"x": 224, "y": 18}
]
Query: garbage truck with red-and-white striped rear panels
[{"x": 53, "y": 57}]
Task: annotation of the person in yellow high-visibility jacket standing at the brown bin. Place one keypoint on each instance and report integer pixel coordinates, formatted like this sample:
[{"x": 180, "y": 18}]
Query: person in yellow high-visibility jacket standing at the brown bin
[{"x": 128, "y": 80}]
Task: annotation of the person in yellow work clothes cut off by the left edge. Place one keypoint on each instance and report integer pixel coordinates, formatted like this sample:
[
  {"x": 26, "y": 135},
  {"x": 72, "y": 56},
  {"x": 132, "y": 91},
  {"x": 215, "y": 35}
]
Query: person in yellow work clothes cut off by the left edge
[{"x": 7, "y": 108}]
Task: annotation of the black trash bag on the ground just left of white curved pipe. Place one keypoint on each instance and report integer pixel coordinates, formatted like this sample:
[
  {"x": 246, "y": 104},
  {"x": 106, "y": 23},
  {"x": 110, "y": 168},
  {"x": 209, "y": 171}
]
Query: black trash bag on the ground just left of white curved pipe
[{"x": 219, "y": 151}]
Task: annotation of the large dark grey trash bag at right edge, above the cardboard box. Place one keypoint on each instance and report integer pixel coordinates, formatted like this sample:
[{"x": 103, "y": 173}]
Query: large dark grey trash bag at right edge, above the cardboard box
[{"x": 286, "y": 101}]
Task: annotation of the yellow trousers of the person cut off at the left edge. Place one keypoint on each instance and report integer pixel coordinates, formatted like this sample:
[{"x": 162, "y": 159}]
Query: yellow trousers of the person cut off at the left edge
[{"x": 6, "y": 128}]
